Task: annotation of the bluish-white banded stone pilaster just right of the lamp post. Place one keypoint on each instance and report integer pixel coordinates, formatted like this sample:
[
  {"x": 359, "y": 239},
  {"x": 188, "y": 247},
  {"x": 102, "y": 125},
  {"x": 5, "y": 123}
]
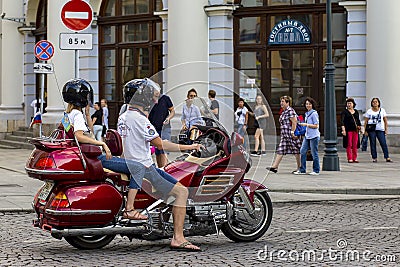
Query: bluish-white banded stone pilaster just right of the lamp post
[{"x": 356, "y": 47}]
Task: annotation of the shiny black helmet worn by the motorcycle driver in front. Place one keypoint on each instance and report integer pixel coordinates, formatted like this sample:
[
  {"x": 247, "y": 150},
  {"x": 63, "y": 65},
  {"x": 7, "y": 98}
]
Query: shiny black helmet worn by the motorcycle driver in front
[{"x": 140, "y": 92}]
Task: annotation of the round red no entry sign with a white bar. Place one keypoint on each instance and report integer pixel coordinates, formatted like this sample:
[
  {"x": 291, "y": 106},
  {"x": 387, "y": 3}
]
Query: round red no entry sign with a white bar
[{"x": 76, "y": 15}]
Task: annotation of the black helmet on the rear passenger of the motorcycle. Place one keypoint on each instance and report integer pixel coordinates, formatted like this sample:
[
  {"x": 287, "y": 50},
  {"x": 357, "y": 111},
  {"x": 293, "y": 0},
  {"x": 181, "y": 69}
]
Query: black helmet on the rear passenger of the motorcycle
[{"x": 78, "y": 92}]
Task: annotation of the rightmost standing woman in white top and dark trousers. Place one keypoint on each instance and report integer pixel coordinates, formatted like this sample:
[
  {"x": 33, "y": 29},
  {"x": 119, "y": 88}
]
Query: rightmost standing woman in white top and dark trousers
[{"x": 376, "y": 126}]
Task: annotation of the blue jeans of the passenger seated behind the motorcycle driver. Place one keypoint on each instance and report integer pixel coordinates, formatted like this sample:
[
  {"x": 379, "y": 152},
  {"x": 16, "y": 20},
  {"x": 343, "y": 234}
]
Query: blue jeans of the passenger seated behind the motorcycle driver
[{"x": 135, "y": 169}]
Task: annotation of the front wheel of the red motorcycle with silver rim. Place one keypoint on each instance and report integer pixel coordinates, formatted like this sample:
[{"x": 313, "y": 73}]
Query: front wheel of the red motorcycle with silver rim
[{"x": 246, "y": 228}]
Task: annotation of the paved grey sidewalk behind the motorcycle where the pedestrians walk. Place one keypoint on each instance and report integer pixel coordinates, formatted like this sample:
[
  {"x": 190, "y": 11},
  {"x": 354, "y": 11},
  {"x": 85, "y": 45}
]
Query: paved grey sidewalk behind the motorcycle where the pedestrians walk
[{"x": 364, "y": 180}]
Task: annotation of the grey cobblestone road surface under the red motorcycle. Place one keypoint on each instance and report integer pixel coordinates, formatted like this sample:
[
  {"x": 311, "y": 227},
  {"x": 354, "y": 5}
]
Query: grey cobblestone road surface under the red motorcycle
[{"x": 348, "y": 230}]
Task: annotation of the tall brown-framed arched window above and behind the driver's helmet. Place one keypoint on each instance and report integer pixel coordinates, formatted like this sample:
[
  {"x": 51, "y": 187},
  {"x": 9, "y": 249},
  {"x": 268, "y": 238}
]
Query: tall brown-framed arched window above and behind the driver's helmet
[{"x": 130, "y": 46}]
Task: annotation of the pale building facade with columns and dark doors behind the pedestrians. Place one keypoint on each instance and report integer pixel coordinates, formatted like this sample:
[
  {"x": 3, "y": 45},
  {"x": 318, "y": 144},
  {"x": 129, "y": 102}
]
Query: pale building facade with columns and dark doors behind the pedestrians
[{"x": 279, "y": 44}]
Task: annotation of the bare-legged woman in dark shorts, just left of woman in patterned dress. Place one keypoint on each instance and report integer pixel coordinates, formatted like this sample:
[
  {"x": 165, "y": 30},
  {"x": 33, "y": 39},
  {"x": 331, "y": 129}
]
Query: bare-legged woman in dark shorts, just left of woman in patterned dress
[{"x": 260, "y": 115}]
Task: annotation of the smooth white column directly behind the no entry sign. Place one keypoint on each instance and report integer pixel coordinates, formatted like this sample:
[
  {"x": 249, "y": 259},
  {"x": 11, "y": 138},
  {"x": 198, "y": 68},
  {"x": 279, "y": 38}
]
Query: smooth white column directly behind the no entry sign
[{"x": 63, "y": 61}]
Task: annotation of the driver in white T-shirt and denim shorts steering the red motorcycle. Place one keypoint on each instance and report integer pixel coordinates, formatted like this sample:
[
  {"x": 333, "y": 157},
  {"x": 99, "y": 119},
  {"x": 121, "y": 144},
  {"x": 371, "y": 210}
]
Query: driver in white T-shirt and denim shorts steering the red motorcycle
[{"x": 138, "y": 133}]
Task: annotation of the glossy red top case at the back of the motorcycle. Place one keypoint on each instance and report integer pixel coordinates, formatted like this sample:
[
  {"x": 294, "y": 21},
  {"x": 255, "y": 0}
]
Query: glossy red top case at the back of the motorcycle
[{"x": 65, "y": 163}]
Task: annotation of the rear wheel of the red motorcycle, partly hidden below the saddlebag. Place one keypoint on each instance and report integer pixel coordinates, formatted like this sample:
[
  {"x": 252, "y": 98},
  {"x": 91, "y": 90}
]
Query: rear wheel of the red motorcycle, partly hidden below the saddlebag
[{"x": 90, "y": 242}]
